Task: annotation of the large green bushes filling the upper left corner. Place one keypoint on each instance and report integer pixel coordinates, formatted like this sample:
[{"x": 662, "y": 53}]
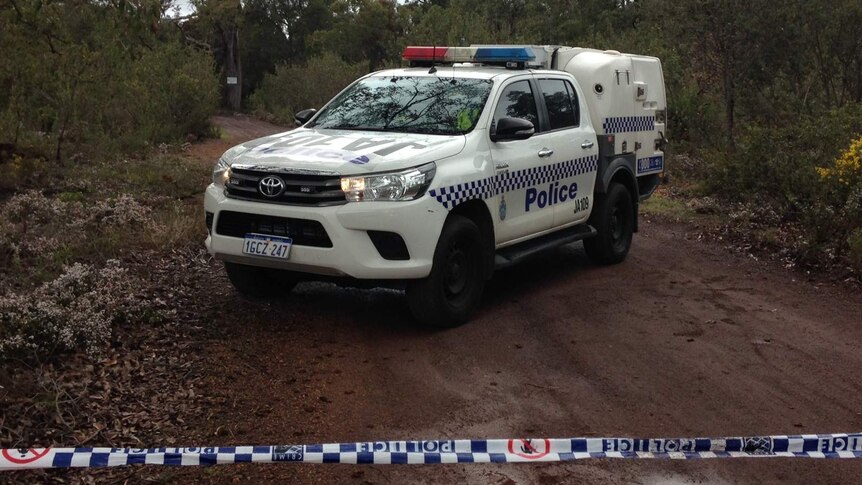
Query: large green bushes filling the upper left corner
[{"x": 107, "y": 78}]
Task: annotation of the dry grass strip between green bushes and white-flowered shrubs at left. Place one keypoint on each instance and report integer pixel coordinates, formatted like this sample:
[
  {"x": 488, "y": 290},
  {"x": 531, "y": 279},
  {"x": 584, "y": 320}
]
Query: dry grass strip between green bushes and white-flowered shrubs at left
[{"x": 102, "y": 211}]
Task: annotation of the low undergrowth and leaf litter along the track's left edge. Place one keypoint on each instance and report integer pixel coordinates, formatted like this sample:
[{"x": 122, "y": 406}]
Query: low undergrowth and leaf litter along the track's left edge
[{"x": 99, "y": 304}]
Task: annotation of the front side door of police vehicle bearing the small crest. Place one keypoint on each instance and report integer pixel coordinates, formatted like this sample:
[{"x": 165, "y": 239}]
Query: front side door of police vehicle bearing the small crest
[{"x": 517, "y": 163}]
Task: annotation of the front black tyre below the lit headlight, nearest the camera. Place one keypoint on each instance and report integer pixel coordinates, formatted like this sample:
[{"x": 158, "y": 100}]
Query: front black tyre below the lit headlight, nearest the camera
[{"x": 450, "y": 294}]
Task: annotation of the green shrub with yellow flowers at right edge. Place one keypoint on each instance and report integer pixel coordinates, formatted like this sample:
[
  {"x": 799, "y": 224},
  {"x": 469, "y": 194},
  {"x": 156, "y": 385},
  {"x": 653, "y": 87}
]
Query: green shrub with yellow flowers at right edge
[{"x": 803, "y": 172}]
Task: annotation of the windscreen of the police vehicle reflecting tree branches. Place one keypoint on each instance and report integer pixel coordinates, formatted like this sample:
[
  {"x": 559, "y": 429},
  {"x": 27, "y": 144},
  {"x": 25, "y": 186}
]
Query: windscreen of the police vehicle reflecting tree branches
[{"x": 430, "y": 105}]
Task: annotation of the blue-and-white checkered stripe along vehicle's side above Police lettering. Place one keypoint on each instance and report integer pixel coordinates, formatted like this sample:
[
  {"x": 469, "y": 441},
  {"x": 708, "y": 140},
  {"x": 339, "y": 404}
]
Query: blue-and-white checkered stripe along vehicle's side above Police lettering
[{"x": 452, "y": 195}]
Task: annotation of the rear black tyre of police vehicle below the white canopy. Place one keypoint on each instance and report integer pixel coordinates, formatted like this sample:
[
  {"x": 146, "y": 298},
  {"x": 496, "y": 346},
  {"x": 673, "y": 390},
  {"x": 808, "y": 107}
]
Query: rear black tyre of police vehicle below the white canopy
[{"x": 614, "y": 219}]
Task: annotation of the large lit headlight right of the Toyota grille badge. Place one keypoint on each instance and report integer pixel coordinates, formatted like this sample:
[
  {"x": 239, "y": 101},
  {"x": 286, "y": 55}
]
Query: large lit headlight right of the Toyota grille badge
[{"x": 405, "y": 185}]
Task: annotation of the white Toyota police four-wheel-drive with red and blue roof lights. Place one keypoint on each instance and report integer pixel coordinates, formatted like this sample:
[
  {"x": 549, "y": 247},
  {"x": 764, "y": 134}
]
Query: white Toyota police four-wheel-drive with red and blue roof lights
[{"x": 430, "y": 177}]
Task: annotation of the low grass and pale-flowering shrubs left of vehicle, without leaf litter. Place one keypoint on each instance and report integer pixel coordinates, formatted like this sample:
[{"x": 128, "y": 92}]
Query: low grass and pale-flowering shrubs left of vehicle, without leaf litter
[{"x": 65, "y": 257}]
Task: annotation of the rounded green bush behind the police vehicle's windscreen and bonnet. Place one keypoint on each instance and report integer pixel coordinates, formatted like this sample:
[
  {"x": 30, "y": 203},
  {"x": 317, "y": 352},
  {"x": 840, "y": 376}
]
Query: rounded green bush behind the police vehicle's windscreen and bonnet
[{"x": 294, "y": 88}]
